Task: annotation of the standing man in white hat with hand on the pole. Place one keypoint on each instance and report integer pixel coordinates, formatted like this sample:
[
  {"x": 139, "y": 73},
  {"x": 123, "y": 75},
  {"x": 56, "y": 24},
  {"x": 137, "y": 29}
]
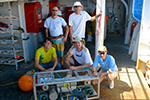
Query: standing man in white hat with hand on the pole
[{"x": 77, "y": 21}]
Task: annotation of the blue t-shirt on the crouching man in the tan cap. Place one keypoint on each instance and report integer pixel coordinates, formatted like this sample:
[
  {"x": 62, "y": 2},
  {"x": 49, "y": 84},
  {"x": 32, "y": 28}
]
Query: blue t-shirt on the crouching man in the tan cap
[{"x": 107, "y": 65}]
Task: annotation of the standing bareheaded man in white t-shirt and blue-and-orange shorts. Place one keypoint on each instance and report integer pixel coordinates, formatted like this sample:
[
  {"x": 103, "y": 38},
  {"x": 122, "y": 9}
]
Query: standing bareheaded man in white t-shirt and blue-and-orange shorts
[{"x": 54, "y": 24}]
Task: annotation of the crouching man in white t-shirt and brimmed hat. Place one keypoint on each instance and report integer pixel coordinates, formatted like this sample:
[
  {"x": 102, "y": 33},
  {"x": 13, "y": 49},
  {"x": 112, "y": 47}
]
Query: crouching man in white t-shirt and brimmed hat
[{"x": 78, "y": 56}]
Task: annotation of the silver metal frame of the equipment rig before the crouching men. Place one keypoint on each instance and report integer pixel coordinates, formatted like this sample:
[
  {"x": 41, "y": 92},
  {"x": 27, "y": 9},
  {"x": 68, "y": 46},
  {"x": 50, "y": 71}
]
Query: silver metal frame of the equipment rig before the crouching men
[{"x": 53, "y": 80}]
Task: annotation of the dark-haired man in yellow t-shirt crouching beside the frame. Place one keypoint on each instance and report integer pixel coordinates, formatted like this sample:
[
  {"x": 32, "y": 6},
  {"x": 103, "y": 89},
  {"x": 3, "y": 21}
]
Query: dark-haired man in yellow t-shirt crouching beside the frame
[{"x": 46, "y": 58}]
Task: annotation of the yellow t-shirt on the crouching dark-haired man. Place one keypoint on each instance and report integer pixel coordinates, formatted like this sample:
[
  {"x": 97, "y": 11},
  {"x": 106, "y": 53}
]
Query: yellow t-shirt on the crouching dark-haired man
[{"x": 45, "y": 57}]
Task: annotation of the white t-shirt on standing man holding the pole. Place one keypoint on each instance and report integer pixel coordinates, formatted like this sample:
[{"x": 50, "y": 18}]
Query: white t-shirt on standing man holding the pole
[{"x": 78, "y": 23}]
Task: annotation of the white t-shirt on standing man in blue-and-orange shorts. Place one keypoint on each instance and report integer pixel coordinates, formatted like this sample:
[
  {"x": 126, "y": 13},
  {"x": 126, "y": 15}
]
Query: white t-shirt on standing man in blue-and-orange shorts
[{"x": 55, "y": 26}]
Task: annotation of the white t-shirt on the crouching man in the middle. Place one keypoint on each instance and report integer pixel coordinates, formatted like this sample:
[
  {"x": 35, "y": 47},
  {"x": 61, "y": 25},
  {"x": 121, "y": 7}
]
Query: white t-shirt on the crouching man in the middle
[{"x": 82, "y": 57}]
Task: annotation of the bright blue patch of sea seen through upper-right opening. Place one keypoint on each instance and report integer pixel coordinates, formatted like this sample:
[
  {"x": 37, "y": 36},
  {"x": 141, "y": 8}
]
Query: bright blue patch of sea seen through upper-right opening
[{"x": 137, "y": 9}]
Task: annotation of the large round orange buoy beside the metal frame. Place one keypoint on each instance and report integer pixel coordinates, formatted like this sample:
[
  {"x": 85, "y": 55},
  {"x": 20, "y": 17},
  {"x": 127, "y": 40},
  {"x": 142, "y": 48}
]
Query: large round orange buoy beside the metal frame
[{"x": 25, "y": 83}]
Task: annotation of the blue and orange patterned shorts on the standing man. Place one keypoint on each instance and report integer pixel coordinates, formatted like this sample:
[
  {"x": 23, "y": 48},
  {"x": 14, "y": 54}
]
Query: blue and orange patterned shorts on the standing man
[{"x": 59, "y": 46}]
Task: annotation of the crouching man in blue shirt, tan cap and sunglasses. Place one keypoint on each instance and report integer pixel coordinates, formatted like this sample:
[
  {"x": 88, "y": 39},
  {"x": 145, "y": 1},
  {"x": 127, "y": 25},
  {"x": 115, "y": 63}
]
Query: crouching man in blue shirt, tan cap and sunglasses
[{"x": 108, "y": 67}]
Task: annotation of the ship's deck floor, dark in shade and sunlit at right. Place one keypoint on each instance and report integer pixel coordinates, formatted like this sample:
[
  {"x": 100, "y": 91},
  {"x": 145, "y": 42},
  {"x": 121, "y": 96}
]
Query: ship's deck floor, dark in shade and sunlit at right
[{"x": 129, "y": 84}]
